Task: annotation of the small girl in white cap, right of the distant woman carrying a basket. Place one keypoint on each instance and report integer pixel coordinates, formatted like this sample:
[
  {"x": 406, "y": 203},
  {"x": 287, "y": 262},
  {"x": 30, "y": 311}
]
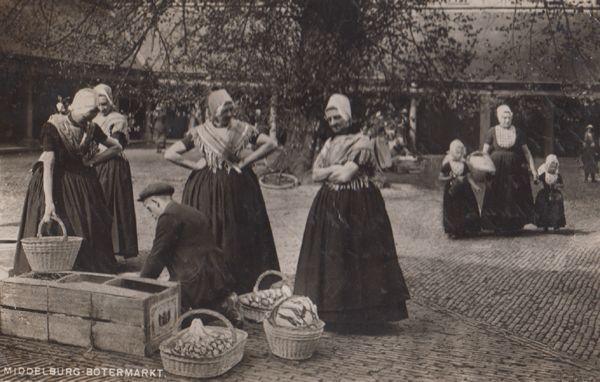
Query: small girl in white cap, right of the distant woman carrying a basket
[{"x": 549, "y": 203}]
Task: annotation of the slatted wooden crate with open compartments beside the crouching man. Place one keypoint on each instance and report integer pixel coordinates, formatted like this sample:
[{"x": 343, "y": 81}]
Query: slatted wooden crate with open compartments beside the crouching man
[{"x": 123, "y": 314}]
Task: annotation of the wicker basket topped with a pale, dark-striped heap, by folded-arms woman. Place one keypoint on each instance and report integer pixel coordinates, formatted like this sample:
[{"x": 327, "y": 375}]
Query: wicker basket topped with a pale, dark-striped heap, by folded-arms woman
[{"x": 293, "y": 328}]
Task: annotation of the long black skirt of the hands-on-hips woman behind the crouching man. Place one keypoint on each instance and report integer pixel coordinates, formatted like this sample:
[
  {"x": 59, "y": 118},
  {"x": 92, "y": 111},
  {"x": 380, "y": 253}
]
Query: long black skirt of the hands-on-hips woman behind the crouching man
[{"x": 235, "y": 207}]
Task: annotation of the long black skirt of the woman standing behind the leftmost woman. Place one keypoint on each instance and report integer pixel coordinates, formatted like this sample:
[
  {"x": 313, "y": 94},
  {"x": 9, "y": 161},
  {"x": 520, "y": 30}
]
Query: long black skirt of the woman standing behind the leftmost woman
[{"x": 115, "y": 178}]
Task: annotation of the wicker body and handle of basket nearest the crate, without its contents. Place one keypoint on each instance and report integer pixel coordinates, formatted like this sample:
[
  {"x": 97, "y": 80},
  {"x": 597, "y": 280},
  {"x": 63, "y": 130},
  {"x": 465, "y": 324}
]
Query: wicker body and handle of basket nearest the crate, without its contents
[{"x": 203, "y": 367}]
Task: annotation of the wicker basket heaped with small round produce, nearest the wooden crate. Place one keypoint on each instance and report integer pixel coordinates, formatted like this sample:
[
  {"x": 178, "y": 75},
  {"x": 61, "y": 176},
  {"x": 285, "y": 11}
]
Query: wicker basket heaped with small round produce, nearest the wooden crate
[{"x": 203, "y": 351}]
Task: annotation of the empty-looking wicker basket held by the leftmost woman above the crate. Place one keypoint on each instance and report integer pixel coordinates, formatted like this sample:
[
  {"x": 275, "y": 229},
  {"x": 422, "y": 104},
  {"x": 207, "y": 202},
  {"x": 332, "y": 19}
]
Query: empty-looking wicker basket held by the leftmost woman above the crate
[{"x": 51, "y": 253}]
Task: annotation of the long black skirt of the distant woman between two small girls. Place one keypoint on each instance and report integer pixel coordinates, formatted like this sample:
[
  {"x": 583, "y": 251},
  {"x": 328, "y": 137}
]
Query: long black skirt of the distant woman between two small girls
[{"x": 510, "y": 203}]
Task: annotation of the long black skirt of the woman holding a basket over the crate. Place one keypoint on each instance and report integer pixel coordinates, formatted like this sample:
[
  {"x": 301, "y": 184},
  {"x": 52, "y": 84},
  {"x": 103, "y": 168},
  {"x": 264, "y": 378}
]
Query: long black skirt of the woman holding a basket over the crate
[{"x": 80, "y": 204}]
